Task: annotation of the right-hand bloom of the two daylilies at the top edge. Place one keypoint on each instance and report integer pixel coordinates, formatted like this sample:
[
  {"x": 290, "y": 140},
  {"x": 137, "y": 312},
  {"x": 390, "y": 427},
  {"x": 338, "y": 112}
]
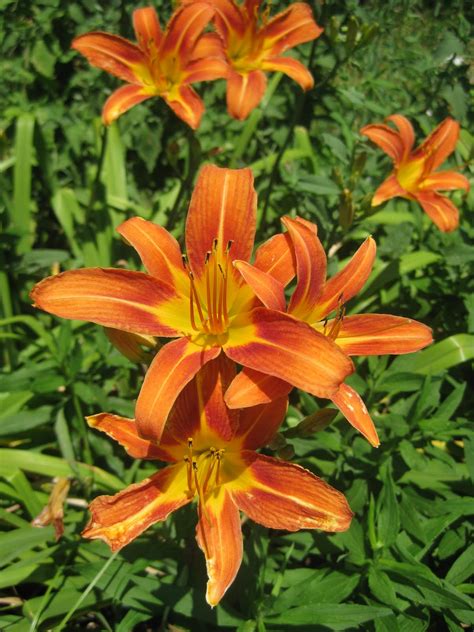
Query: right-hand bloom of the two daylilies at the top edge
[{"x": 254, "y": 44}]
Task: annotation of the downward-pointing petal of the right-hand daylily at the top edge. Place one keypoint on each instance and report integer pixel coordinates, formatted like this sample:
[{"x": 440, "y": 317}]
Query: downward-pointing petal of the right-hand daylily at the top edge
[{"x": 244, "y": 92}]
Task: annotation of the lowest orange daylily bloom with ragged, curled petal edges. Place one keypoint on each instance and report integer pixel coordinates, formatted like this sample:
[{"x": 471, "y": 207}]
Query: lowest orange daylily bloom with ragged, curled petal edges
[{"x": 213, "y": 460}]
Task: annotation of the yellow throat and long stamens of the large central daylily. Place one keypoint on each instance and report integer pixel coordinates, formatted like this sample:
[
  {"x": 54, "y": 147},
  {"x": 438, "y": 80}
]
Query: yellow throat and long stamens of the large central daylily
[{"x": 208, "y": 309}]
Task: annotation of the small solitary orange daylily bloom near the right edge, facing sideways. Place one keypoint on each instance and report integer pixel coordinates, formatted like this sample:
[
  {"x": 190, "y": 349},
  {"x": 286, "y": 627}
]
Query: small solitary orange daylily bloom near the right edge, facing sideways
[{"x": 414, "y": 176}]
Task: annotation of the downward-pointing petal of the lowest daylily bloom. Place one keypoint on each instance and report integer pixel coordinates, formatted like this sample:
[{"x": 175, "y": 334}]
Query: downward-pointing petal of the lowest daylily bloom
[{"x": 219, "y": 536}]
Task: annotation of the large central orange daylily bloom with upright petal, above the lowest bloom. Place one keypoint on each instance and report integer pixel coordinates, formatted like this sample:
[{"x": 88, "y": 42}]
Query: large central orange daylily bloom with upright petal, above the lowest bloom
[{"x": 201, "y": 300}]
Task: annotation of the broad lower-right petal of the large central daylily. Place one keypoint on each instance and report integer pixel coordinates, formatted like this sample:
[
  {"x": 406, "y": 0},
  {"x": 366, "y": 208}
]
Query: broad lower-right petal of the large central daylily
[{"x": 277, "y": 344}]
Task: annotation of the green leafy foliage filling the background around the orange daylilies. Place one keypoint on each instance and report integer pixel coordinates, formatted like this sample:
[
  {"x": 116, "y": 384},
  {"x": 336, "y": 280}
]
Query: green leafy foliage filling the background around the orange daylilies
[{"x": 66, "y": 183}]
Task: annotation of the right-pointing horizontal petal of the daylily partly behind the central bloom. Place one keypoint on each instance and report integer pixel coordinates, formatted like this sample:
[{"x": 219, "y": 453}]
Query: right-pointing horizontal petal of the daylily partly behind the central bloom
[{"x": 378, "y": 334}]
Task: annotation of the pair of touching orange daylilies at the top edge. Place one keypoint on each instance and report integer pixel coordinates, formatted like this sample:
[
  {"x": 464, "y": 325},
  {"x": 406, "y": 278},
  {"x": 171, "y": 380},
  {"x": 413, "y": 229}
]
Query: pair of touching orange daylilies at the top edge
[{"x": 246, "y": 44}]
